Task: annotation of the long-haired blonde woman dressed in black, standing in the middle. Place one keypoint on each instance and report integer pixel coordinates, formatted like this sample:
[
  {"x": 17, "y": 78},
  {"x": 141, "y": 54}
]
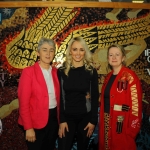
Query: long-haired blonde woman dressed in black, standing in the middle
[{"x": 78, "y": 114}]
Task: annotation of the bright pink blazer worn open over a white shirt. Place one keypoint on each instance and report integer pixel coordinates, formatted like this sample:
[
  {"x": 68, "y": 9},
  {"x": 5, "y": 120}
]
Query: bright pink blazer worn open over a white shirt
[{"x": 33, "y": 97}]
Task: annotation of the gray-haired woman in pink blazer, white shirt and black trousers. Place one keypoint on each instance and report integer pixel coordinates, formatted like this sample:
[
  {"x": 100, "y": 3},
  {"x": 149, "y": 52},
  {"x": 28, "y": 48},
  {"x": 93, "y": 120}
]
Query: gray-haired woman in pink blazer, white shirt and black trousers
[{"x": 38, "y": 94}]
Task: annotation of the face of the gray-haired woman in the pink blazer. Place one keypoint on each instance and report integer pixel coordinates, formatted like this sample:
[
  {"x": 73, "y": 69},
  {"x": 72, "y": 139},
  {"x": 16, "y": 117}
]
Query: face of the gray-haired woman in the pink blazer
[{"x": 46, "y": 54}]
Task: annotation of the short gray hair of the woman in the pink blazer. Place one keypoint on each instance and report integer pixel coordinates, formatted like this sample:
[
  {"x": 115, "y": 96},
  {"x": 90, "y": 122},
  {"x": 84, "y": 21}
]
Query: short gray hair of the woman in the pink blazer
[{"x": 46, "y": 40}]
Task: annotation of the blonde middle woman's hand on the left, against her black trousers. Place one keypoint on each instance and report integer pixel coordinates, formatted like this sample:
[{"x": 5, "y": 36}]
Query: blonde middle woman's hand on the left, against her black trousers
[{"x": 62, "y": 128}]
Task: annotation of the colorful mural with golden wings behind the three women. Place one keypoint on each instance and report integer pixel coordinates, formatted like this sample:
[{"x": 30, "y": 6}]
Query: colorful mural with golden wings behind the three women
[{"x": 21, "y": 29}]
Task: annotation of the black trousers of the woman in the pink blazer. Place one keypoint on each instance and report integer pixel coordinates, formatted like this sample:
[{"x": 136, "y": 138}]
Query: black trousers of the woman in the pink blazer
[{"x": 46, "y": 137}]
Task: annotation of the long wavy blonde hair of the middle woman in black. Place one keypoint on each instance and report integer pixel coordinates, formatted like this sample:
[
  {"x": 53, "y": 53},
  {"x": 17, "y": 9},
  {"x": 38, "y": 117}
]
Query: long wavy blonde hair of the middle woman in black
[{"x": 87, "y": 58}]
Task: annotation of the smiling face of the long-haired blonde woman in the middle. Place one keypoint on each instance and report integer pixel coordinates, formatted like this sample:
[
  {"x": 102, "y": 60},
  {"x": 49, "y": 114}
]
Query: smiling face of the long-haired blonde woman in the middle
[{"x": 77, "y": 52}]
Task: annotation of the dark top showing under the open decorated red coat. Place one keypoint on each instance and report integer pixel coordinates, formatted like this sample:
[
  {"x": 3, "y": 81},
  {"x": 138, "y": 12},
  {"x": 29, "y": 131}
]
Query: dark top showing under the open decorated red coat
[{"x": 107, "y": 94}]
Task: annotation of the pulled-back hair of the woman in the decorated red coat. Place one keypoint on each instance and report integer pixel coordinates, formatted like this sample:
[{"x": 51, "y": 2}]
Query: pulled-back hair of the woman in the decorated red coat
[{"x": 121, "y": 48}]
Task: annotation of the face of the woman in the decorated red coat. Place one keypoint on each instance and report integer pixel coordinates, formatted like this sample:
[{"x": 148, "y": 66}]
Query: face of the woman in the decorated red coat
[{"x": 115, "y": 57}]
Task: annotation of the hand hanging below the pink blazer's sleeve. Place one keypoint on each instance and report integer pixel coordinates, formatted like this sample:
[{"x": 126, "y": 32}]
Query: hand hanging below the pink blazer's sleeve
[{"x": 30, "y": 135}]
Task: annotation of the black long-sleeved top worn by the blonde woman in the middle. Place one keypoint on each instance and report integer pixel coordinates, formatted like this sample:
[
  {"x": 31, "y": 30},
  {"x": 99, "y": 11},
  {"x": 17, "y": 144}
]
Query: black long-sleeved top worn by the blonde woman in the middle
[{"x": 75, "y": 86}]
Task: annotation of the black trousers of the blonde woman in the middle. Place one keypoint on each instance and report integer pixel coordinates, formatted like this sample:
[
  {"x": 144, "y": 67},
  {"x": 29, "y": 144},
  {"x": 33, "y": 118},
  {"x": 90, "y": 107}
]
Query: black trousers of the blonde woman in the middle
[{"x": 76, "y": 128}]
